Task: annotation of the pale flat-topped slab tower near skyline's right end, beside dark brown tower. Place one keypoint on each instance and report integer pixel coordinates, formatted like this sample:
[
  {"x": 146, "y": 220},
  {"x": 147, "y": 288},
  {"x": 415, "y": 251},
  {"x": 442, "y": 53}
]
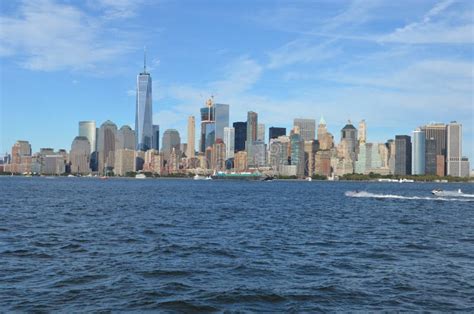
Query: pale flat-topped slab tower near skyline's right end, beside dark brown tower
[{"x": 454, "y": 149}]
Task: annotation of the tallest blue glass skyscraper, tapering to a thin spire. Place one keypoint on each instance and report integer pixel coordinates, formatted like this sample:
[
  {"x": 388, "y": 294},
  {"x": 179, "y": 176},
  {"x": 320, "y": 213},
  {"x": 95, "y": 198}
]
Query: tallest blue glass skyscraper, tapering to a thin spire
[{"x": 144, "y": 112}]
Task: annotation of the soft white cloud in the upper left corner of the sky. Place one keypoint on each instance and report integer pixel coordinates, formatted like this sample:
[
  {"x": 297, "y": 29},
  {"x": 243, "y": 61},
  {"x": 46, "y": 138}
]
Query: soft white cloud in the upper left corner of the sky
[{"x": 49, "y": 36}]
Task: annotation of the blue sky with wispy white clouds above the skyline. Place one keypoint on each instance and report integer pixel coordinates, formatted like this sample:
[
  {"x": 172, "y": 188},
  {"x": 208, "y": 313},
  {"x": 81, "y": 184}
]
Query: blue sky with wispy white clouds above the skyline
[{"x": 396, "y": 64}]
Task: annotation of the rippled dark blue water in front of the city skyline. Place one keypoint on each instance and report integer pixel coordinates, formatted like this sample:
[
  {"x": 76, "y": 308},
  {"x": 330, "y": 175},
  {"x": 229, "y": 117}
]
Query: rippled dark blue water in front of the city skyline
[{"x": 77, "y": 244}]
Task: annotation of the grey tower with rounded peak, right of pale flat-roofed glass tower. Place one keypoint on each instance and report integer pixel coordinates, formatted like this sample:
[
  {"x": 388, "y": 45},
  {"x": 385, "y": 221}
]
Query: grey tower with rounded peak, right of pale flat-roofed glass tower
[{"x": 106, "y": 145}]
